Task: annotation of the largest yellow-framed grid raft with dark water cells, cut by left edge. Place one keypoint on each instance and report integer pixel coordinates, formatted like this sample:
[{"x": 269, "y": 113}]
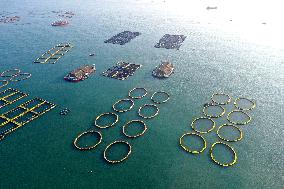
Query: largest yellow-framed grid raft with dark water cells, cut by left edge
[{"x": 23, "y": 114}]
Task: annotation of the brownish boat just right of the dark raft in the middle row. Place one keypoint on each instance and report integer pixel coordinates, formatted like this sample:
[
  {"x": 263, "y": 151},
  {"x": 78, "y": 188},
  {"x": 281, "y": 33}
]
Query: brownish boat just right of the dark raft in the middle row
[{"x": 164, "y": 70}]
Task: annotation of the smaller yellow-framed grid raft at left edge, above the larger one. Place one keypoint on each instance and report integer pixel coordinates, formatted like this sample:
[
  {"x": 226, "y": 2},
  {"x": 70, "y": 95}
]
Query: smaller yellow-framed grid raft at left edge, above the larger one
[{"x": 10, "y": 96}]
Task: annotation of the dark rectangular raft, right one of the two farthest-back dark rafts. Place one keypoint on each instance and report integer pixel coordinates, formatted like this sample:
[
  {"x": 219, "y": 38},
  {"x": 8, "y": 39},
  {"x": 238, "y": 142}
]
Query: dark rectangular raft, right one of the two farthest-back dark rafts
[{"x": 170, "y": 41}]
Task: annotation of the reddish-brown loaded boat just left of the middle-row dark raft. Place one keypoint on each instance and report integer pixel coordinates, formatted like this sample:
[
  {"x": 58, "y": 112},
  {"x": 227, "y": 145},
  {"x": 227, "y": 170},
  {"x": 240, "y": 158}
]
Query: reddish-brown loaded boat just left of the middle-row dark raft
[{"x": 81, "y": 73}]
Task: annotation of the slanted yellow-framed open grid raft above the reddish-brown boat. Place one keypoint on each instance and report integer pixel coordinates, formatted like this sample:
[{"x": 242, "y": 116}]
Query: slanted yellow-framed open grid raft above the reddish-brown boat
[{"x": 54, "y": 54}]
